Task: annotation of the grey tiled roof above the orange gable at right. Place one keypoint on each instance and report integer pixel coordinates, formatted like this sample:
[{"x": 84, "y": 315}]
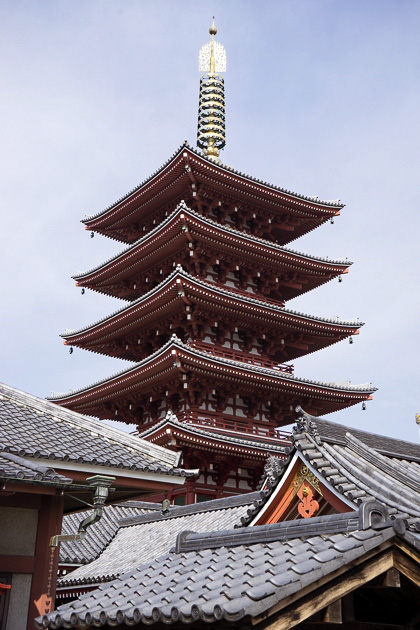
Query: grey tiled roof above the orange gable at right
[{"x": 357, "y": 471}]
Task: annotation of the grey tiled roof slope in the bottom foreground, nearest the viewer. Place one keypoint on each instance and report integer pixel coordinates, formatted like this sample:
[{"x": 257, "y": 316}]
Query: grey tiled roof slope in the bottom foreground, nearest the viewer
[{"x": 230, "y": 592}]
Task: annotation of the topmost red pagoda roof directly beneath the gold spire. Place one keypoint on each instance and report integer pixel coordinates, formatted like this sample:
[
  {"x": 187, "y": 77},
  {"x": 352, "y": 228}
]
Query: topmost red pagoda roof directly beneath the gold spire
[{"x": 188, "y": 171}]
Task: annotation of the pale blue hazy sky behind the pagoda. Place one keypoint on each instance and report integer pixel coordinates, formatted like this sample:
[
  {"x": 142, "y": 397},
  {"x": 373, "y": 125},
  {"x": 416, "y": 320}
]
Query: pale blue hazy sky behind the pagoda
[{"x": 323, "y": 98}]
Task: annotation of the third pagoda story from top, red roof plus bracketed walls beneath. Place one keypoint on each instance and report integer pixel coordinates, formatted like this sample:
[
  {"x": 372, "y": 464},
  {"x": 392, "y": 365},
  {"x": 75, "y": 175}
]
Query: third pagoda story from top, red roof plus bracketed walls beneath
[{"x": 205, "y": 313}]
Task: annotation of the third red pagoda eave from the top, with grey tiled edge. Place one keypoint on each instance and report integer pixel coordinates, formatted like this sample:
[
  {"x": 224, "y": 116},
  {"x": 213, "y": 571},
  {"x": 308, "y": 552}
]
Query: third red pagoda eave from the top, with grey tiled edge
[{"x": 175, "y": 296}]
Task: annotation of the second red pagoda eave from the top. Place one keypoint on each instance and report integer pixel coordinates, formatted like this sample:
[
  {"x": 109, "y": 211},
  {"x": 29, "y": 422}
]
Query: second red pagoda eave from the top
[{"x": 189, "y": 239}]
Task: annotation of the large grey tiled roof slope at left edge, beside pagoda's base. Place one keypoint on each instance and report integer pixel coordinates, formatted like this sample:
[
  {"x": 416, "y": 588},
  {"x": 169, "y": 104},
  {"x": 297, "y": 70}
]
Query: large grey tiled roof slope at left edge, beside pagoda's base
[{"x": 32, "y": 427}]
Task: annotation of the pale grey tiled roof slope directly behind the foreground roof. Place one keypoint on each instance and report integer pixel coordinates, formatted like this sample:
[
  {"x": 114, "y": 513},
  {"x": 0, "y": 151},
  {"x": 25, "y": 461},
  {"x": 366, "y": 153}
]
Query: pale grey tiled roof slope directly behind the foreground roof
[{"x": 146, "y": 537}]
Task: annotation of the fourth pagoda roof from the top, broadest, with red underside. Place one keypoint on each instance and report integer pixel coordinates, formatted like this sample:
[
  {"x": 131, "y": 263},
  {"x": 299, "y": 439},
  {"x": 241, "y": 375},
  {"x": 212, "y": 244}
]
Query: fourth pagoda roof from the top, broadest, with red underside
[{"x": 170, "y": 360}]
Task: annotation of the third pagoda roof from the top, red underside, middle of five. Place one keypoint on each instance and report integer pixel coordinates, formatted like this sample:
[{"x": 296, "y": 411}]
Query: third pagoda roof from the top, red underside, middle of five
[{"x": 165, "y": 298}]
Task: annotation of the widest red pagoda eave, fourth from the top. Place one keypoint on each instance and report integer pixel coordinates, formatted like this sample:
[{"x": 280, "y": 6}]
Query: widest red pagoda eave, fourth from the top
[{"x": 178, "y": 367}]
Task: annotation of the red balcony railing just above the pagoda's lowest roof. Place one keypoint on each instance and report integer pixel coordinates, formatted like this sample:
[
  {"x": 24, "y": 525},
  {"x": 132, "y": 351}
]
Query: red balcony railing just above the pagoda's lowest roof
[{"x": 222, "y": 424}]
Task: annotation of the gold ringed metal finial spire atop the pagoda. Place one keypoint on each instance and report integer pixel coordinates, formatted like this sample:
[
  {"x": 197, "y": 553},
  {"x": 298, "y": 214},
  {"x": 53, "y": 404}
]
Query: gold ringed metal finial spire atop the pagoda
[{"x": 211, "y": 135}]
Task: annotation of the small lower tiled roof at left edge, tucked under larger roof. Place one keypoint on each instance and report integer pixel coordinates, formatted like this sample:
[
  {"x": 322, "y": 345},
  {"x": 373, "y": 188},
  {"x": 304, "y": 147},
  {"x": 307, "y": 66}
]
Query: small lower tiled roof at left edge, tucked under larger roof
[{"x": 19, "y": 469}]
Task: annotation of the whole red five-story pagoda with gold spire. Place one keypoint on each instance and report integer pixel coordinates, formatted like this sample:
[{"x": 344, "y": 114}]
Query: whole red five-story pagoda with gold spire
[{"x": 206, "y": 276}]
